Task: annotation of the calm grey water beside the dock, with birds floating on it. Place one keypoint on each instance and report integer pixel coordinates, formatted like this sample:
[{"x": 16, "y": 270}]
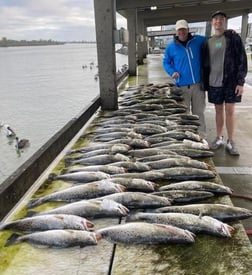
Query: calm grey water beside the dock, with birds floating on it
[{"x": 41, "y": 89}]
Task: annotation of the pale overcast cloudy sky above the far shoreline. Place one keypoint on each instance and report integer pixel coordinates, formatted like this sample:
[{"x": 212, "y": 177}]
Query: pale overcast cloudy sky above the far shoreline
[{"x": 62, "y": 20}]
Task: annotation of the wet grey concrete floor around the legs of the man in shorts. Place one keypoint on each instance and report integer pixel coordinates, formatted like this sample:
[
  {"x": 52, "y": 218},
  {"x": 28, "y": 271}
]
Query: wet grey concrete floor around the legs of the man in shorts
[{"x": 236, "y": 172}]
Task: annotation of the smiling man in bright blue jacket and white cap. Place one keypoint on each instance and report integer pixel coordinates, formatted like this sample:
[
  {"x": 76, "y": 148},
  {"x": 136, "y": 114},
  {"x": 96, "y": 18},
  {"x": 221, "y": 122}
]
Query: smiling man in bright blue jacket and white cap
[{"x": 182, "y": 61}]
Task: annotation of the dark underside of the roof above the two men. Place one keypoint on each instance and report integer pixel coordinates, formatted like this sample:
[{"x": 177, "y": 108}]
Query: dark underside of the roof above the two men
[{"x": 167, "y": 12}]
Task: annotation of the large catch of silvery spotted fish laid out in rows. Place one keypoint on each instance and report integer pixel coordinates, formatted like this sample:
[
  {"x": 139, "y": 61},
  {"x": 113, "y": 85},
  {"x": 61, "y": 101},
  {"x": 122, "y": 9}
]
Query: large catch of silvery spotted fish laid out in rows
[{"x": 143, "y": 163}]
